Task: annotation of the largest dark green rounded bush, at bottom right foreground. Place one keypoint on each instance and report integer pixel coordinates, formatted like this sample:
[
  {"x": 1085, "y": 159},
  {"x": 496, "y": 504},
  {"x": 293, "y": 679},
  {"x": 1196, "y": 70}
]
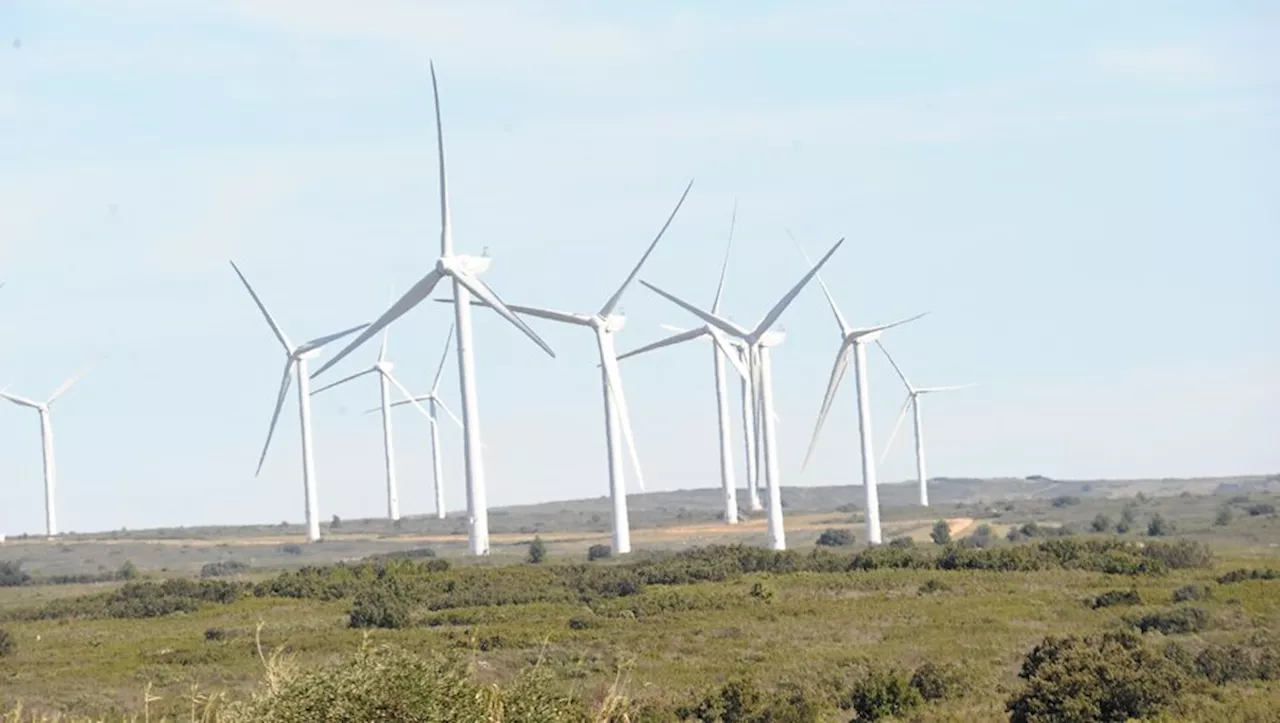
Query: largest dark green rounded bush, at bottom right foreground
[{"x": 1112, "y": 678}]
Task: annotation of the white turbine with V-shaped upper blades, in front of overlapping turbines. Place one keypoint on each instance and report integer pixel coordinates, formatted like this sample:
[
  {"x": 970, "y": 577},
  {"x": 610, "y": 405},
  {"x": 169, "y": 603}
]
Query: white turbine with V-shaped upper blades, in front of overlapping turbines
[{"x": 758, "y": 342}]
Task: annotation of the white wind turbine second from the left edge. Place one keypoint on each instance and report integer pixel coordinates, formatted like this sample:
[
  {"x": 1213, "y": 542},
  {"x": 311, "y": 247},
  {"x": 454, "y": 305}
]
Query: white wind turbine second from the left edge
[{"x": 296, "y": 363}]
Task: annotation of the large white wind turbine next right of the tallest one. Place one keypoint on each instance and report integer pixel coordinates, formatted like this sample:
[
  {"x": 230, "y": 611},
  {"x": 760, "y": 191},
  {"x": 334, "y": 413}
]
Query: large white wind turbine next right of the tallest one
[{"x": 618, "y": 422}]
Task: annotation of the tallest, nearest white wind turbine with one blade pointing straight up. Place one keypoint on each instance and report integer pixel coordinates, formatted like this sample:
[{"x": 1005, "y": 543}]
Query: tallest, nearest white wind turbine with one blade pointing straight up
[{"x": 464, "y": 272}]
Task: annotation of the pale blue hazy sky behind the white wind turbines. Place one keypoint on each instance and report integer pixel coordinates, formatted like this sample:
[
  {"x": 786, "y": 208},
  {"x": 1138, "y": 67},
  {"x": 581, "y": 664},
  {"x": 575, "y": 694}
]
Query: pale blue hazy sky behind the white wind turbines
[{"x": 1081, "y": 194}]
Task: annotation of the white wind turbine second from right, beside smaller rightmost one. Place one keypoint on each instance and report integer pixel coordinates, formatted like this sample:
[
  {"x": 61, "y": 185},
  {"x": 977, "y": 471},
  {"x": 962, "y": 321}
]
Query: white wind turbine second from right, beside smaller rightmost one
[{"x": 856, "y": 341}]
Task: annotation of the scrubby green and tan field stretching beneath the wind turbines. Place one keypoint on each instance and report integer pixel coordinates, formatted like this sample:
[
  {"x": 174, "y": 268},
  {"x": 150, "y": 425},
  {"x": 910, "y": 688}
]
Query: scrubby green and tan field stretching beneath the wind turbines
[{"x": 665, "y": 629}]
